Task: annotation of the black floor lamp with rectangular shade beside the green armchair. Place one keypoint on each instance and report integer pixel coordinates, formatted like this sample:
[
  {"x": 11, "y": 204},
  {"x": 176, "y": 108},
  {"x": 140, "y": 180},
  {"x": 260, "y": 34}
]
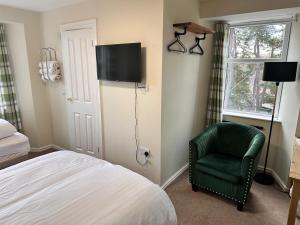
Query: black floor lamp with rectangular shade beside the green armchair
[{"x": 275, "y": 72}]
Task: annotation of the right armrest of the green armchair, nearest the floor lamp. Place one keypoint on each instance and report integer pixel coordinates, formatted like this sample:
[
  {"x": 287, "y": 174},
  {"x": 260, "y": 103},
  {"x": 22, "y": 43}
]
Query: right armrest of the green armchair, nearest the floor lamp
[{"x": 251, "y": 157}]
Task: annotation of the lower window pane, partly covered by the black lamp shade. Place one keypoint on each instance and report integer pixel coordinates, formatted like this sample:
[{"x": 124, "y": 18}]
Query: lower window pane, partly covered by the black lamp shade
[{"x": 246, "y": 92}]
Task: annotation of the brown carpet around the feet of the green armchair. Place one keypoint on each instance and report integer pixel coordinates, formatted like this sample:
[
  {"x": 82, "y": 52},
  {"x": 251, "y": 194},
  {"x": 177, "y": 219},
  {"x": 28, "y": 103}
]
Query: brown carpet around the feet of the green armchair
[{"x": 266, "y": 206}]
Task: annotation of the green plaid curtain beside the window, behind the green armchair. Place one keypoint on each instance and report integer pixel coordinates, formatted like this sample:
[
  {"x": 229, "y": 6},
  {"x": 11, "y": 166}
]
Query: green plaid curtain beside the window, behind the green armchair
[{"x": 216, "y": 90}]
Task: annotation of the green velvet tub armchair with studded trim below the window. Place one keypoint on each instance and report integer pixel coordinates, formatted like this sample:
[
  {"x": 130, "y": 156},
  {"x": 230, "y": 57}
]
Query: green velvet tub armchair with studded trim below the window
[{"x": 223, "y": 160}]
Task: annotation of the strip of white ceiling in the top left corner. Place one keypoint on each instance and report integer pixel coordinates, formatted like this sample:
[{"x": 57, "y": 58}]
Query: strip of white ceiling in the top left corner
[{"x": 39, "y": 5}]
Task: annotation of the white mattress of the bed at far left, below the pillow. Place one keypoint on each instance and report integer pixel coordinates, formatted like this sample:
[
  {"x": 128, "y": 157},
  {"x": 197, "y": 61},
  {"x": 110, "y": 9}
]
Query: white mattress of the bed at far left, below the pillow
[{"x": 15, "y": 144}]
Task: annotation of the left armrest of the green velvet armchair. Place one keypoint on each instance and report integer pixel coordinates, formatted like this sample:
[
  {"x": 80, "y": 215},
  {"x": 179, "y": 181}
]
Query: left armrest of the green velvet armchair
[{"x": 200, "y": 145}]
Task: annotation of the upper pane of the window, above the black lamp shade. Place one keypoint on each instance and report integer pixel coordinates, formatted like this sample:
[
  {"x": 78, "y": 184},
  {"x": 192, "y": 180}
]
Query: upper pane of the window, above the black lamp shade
[{"x": 257, "y": 41}]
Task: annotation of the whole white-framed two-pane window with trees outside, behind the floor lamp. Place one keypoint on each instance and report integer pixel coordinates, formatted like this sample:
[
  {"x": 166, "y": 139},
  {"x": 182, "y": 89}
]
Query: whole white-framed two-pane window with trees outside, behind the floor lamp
[{"x": 249, "y": 47}]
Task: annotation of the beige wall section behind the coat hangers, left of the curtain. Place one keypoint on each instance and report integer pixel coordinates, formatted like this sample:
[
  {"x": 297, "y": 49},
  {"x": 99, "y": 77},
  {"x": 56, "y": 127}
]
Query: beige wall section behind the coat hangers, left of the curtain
[{"x": 185, "y": 88}]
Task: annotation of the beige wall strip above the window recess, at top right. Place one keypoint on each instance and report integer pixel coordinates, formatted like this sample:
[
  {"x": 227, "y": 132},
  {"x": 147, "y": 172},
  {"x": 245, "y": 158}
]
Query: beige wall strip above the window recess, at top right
[{"x": 217, "y": 8}]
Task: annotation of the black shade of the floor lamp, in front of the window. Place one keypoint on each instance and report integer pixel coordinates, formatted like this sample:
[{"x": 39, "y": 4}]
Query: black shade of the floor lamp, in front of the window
[{"x": 280, "y": 71}]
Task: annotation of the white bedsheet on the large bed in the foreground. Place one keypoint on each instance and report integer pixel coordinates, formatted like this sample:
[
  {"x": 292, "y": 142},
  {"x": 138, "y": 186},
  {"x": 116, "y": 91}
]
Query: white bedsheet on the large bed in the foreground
[{"x": 67, "y": 188}]
